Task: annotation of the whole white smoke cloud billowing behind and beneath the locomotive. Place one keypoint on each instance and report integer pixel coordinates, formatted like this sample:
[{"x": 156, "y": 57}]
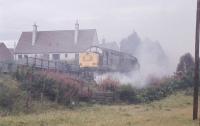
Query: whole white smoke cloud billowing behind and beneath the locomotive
[{"x": 154, "y": 63}]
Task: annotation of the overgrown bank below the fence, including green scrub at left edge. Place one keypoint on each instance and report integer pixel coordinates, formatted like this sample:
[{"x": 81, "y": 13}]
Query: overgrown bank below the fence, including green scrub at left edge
[{"x": 27, "y": 90}]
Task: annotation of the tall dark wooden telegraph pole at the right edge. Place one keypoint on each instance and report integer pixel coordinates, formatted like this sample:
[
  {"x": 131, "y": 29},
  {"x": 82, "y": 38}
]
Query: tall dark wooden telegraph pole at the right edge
[{"x": 196, "y": 71}]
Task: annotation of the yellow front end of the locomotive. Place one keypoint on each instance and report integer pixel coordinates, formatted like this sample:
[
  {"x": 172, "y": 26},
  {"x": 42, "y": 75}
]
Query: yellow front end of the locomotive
[{"x": 88, "y": 60}]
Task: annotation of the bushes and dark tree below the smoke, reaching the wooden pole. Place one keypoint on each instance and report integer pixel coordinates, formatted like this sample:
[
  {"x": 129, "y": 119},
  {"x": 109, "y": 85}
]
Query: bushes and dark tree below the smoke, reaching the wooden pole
[{"x": 158, "y": 88}]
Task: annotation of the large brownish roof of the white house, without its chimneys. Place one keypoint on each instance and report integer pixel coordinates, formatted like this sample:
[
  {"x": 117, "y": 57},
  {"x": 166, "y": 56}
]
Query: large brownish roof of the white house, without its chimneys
[{"x": 56, "y": 41}]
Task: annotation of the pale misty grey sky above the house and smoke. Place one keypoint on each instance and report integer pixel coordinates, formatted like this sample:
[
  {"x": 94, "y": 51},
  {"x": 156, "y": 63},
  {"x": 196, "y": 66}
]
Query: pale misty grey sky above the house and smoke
[{"x": 171, "y": 22}]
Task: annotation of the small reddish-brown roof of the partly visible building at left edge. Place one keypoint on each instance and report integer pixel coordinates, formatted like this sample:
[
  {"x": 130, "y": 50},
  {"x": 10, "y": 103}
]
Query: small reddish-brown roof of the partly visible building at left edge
[{"x": 5, "y": 54}]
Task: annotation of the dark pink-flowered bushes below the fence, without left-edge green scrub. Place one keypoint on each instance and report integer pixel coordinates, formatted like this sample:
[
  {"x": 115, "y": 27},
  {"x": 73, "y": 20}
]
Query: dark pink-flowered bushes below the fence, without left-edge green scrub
[{"x": 54, "y": 86}]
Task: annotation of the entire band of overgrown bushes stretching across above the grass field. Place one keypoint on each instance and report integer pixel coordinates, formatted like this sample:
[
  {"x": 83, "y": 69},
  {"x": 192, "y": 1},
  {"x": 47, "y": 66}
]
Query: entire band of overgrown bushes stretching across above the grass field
[{"x": 27, "y": 90}]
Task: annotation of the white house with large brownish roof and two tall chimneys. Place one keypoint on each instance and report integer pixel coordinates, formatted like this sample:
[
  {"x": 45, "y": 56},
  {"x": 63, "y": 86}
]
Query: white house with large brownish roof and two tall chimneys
[{"x": 63, "y": 45}]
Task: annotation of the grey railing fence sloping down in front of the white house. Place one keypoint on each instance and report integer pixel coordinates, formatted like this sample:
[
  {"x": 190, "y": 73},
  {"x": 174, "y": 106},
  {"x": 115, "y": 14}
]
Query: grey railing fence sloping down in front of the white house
[{"x": 42, "y": 64}]
